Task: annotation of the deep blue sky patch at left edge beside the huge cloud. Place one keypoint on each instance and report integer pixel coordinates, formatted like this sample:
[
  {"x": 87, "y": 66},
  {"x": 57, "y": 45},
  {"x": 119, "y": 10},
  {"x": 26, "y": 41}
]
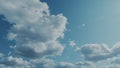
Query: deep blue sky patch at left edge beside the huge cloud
[{"x": 4, "y": 29}]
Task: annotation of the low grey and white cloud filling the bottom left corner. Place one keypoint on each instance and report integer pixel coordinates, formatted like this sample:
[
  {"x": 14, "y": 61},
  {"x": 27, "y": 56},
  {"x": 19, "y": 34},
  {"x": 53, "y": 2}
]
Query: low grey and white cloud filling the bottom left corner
[{"x": 11, "y": 62}]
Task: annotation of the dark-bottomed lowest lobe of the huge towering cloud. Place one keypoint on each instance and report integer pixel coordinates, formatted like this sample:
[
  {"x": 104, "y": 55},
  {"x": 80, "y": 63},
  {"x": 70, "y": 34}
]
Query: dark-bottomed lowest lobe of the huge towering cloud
[{"x": 35, "y": 50}]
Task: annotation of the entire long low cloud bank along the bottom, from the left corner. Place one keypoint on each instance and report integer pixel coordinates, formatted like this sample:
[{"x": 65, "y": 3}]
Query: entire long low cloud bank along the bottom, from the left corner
[{"x": 17, "y": 62}]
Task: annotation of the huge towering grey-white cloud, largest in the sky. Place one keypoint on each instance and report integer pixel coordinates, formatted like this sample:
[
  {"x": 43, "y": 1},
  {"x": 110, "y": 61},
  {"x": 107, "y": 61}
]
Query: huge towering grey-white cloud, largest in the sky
[{"x": 34, "y": 29}]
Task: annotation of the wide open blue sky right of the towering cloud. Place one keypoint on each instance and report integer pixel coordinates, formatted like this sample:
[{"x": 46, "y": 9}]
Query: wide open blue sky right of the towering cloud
[{"x": 101, "y": 19}]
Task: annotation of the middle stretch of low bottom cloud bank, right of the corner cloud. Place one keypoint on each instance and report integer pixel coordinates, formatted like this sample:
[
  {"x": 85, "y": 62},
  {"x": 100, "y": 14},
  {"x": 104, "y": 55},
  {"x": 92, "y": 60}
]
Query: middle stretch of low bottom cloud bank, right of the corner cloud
[{"x": 48, "y": 63}]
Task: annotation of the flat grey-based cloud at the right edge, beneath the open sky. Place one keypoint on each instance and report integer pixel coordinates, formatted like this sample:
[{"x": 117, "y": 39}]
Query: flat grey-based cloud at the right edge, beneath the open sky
[{"x": 96, "y": 52}]
